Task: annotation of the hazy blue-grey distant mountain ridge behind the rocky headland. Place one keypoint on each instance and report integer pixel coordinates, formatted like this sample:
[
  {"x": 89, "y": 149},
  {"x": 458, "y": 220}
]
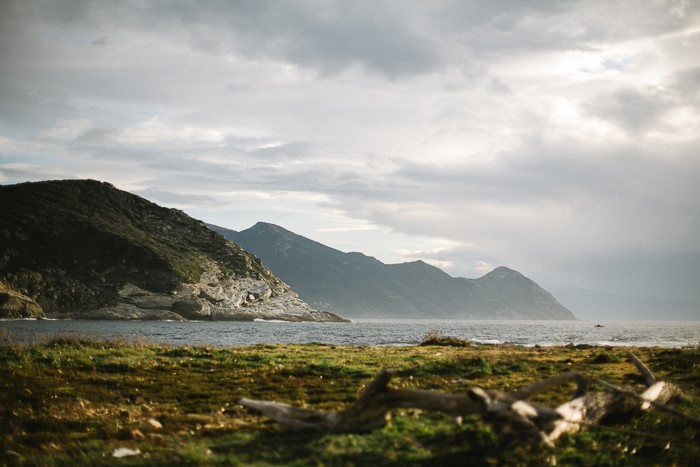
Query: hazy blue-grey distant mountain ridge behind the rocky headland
[{"x": 361, "y": 286}]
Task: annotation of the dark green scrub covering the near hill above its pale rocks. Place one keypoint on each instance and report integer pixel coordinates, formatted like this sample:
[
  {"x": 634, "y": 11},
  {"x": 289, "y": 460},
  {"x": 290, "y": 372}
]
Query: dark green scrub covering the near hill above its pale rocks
[{"x": 71, "y": 244}]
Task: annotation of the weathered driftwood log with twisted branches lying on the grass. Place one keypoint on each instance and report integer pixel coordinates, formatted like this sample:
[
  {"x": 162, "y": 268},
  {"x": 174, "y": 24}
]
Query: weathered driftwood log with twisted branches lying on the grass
[{"x": 508, "y": 413}]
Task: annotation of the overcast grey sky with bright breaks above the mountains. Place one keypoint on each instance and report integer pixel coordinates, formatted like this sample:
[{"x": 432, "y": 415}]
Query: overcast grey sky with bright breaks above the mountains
[{"x": 558, "y": 138}]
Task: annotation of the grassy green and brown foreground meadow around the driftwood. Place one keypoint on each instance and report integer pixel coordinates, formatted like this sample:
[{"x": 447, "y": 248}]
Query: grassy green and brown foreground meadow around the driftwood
[{"x": 90, "y": 402}]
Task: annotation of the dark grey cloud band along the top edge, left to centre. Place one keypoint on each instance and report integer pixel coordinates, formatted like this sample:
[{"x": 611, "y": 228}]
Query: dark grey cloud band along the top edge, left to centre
[{"x": 327, "y": 36}]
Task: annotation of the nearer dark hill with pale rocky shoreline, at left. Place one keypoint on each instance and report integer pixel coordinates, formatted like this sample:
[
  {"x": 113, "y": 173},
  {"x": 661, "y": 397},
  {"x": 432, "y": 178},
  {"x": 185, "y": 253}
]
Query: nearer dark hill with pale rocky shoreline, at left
[{"x": 84, "y": 249}]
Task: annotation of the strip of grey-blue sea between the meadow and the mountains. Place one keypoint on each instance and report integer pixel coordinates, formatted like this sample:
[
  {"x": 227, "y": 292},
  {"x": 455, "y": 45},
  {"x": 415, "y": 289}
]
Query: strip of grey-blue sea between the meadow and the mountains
[{"x": 363, "y": 332}]
